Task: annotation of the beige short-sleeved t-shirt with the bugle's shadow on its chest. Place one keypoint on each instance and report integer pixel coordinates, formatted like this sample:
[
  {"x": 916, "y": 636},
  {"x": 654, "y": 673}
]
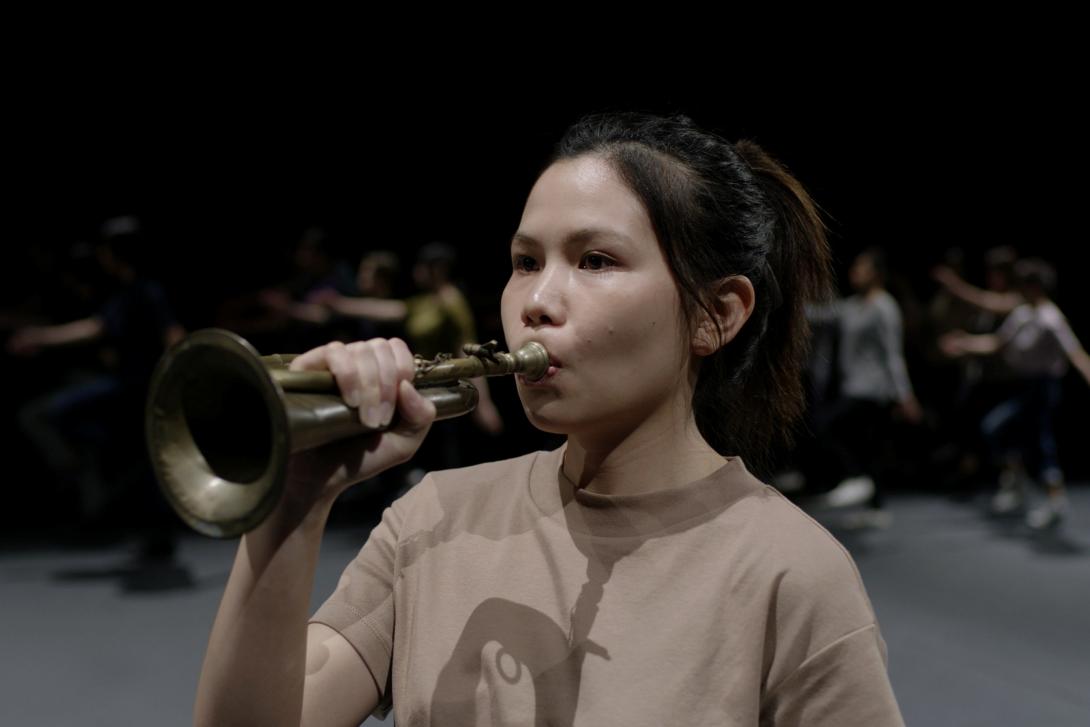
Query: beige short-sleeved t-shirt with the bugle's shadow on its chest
[{"x": 502, "y": 595}]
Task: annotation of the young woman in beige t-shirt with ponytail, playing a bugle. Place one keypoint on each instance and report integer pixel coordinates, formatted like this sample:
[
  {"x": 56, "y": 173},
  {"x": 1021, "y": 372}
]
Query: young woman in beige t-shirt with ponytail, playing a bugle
[{"x": 637, "y": 575}]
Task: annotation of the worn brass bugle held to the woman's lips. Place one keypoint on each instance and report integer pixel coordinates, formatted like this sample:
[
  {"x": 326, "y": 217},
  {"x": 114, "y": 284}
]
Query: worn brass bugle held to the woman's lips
[{"x": 222, "y": 420}]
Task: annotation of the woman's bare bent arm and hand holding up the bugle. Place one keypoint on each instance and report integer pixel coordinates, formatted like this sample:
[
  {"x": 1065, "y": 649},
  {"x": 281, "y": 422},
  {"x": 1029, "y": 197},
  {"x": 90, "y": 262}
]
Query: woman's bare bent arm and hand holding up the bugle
[{"x": 258, "y": 670}]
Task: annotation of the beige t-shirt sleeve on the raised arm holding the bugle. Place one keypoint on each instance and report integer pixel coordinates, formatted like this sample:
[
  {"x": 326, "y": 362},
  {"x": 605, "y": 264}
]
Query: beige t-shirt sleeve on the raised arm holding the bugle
[{"x": 361, "y": 609}]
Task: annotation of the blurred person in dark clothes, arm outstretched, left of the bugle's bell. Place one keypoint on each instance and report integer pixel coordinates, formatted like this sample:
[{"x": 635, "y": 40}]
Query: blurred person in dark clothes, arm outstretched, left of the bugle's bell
[{"x": 91, "y": 433}]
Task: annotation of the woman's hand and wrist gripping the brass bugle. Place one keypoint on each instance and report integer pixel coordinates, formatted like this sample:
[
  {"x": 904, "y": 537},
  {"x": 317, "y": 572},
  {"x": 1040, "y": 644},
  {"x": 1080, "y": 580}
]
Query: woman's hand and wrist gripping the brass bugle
[{"x": 374, "y": 378}]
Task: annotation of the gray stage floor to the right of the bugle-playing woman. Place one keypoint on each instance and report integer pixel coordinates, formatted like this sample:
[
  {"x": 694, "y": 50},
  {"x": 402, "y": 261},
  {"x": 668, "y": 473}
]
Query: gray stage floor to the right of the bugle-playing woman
[{"x": 987, "y": 625}]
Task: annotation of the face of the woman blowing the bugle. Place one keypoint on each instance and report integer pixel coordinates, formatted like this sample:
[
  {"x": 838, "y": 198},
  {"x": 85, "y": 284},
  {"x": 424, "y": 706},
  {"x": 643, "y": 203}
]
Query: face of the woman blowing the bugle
[{"x": 590, "y": 283}]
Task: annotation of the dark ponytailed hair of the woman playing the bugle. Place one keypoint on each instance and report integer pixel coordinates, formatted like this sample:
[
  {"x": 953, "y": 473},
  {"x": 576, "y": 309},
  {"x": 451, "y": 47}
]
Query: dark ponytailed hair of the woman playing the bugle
[{"x": 721, "y": 210}]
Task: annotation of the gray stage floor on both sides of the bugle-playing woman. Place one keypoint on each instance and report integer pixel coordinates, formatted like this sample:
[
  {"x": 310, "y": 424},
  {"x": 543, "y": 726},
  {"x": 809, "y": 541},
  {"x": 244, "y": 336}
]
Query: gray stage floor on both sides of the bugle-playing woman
[{"x": 986, "y": 624}]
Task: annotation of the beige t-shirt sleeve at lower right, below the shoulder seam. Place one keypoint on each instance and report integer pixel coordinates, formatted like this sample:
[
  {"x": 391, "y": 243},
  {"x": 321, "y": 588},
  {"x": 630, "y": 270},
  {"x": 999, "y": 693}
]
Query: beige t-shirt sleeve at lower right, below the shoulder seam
[{"x": 844, "y": 685}]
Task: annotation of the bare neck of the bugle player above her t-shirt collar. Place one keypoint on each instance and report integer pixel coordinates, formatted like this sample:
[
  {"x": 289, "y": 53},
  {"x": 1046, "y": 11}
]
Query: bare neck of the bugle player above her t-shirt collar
[{"x": 657, "y": 456}]
